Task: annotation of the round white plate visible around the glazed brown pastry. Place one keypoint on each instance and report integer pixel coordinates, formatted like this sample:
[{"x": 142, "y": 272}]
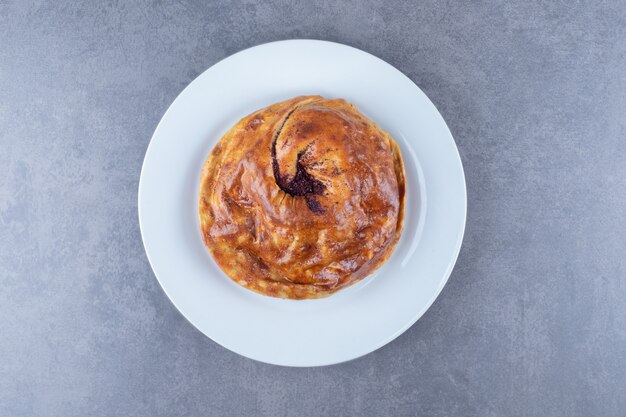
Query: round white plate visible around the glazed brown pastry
[{"x": 359, "y": 319}]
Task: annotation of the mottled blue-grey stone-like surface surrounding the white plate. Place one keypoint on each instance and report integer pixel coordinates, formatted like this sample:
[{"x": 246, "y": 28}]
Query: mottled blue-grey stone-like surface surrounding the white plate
[{"x": 533, "y": 319}]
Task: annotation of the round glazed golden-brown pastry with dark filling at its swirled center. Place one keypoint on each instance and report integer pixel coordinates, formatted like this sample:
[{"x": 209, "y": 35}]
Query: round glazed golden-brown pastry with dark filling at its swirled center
[{"x": 302, "y": 198}]
